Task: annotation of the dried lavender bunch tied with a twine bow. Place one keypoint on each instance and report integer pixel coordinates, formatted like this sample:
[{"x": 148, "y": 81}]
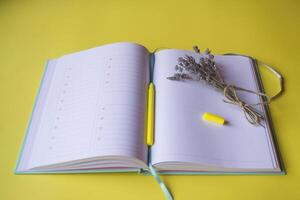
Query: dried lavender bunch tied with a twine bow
[{"x": 207, "y": 71}]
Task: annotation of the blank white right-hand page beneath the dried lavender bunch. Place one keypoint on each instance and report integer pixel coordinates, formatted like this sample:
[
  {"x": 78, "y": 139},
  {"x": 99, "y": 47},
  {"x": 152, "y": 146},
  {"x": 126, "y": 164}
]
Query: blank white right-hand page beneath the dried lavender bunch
[{"x": 182, "y": 136}]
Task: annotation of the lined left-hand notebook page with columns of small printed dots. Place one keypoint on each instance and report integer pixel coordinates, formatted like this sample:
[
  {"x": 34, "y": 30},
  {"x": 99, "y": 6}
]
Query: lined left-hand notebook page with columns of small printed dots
[{"x": 94, "y": 107}]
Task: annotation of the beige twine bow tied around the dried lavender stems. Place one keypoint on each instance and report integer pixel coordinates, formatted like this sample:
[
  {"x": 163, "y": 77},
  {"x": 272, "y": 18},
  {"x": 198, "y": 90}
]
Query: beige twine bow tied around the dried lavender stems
[{"x": 252, "y": 116}]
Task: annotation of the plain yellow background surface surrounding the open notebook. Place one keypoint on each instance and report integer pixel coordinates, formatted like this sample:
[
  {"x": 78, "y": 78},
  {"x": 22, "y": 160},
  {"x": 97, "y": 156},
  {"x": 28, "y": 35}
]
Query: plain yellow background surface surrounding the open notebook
[{"x": 32, "y": 31}]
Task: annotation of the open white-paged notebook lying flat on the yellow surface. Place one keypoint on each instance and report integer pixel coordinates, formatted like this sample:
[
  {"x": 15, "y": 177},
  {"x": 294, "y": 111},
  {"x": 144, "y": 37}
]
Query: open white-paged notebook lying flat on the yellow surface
[{"x": 90, "y": 116}]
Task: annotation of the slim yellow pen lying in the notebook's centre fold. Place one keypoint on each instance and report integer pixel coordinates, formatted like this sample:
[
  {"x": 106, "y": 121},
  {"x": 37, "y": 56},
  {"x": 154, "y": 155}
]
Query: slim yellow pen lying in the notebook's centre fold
[{"x": 150, "y": 115}]
